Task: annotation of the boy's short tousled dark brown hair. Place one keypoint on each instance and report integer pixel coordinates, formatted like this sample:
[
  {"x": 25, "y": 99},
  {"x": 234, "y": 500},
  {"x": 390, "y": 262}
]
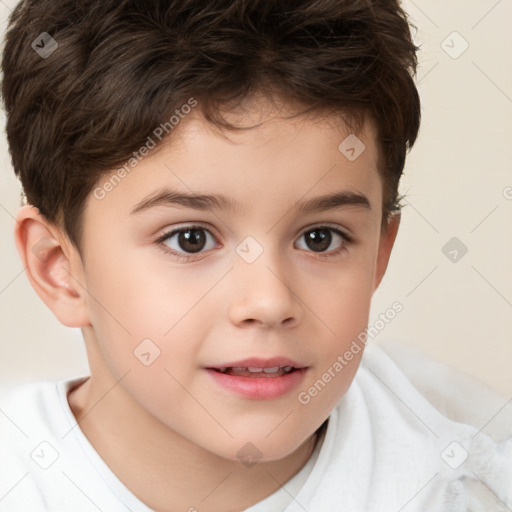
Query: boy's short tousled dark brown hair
[{"x": 122, "y": 67}]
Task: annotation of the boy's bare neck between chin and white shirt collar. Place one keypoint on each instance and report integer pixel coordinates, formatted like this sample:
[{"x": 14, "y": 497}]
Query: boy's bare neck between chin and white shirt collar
[{"x": 166, "y": 471}]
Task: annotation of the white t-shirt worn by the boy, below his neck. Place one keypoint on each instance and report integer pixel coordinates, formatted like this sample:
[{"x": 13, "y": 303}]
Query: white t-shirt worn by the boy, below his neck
[{"x": 386, "y": 448}]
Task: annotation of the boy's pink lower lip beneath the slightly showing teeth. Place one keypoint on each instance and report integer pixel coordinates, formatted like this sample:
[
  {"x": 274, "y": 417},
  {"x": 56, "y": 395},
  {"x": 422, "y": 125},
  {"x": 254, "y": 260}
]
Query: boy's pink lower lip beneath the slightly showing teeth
[{"x": 259, "y": 388}]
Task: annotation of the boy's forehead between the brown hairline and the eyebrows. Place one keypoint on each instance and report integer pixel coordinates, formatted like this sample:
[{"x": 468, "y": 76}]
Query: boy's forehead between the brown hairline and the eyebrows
[{"x": 279, "y": 155}]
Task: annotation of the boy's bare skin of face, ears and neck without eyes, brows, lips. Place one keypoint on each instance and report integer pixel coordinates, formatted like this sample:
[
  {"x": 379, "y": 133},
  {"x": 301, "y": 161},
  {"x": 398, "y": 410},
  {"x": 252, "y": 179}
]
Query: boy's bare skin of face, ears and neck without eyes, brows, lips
[{"x": 182, "y": 432}]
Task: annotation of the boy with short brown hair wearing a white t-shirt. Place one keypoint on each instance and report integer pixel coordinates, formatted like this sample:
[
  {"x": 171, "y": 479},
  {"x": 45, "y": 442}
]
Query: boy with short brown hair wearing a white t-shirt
[{"x": 180, "y": 161}]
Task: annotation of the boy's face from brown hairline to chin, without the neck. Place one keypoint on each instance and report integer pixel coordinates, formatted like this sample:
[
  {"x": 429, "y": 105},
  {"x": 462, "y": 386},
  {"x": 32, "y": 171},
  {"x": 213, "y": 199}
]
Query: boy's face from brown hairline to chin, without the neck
[{"x": 260, "y": 281}]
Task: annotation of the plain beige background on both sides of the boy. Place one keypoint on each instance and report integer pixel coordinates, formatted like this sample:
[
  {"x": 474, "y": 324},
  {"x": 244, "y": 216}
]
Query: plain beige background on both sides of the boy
[{"x": 456, "y": 181}]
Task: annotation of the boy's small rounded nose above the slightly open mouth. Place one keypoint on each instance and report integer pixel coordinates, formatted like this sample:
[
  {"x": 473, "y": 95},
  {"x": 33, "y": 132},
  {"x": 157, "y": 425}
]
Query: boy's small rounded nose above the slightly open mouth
[{"x": 263, "y": 293}]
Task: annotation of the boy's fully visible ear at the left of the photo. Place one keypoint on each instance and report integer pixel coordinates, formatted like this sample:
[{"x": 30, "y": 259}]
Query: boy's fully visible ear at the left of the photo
[{"x": 53, "y": 266}]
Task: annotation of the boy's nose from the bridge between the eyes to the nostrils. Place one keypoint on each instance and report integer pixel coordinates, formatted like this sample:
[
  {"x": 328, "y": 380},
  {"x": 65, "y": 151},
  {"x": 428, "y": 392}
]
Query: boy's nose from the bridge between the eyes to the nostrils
[{"x": 264, "y": 291}]
